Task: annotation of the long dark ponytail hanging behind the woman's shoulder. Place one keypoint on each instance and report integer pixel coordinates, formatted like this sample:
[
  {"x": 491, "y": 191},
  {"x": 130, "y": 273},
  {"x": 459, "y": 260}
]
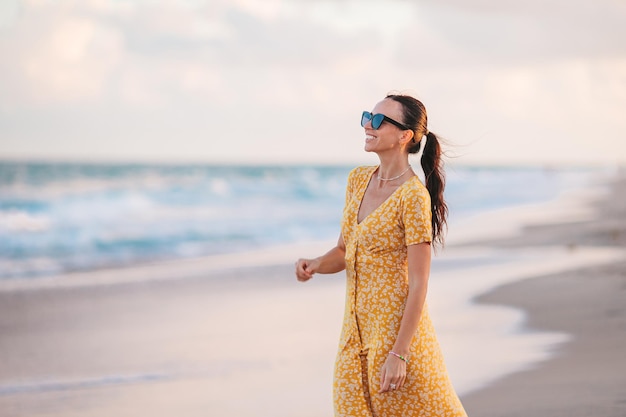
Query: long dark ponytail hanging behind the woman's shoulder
[{"x": 434, "y": 176}]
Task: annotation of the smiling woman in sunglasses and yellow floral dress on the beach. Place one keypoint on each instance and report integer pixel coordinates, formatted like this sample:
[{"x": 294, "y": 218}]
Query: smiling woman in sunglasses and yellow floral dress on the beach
[{"x": 389, "y": 362}]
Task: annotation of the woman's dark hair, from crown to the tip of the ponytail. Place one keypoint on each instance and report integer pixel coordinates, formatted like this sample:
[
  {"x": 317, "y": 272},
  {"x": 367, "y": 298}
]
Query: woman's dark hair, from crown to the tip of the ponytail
[{"x": 415, "y": 117}]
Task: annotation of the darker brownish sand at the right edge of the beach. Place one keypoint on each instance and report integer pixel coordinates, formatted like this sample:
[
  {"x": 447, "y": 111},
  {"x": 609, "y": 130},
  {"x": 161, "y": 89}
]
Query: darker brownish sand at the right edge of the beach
[{"x": 587, "y": 376}]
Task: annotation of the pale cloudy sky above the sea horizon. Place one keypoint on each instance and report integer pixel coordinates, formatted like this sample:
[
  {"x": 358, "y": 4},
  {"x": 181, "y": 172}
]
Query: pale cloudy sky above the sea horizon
[{"x": 270, "y": 81}]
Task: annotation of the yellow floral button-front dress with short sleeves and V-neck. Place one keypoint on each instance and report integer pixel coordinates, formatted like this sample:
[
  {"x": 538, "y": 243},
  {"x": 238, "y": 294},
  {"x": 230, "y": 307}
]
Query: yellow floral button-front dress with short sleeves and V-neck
[{"x": 377, "y": 288}]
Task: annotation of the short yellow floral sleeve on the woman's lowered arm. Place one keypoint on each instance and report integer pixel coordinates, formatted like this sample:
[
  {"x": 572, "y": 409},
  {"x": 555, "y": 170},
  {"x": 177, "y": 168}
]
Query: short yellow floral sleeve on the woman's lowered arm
[{"x": 416, "y": 215}]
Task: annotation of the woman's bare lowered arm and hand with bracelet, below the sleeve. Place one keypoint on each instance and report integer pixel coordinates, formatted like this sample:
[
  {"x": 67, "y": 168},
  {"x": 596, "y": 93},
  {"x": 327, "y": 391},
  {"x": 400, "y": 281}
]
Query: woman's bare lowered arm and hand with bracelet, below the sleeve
[{"x": 394, "y": 368}]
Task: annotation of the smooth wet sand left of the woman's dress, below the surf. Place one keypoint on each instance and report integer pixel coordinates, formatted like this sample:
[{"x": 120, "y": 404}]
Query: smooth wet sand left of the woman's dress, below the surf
[{"x": 244, "y": 342}]
